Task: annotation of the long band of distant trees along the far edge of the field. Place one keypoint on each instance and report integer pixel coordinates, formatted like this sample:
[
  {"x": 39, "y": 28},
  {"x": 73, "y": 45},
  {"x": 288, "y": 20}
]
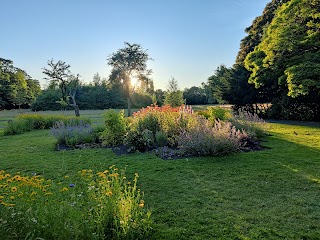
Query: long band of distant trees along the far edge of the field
[{"x": 66, "y": 91}]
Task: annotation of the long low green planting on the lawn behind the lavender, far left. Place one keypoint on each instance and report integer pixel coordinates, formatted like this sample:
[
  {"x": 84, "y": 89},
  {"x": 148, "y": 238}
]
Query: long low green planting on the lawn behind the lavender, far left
[{"x": 27, "y": 122}]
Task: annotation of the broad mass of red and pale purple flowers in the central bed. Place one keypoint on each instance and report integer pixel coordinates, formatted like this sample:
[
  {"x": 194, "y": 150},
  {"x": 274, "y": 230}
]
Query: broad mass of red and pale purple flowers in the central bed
[{"x": 178, "y": 132}]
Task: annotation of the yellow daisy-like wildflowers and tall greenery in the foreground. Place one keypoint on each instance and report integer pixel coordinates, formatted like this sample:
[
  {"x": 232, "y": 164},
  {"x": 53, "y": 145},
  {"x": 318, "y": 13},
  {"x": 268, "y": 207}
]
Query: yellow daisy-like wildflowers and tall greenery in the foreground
[{"x": 89, "y": 205}]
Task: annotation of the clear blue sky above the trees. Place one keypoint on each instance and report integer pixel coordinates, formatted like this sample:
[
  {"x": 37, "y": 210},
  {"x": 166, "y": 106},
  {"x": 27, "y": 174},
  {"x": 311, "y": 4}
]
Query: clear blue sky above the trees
[{"x": 188, "y": 39}]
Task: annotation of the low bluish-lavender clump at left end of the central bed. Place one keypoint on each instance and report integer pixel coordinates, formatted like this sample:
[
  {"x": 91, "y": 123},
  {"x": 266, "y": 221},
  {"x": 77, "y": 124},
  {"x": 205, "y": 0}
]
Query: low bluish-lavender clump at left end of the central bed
[{"x": 72, "y": 133}]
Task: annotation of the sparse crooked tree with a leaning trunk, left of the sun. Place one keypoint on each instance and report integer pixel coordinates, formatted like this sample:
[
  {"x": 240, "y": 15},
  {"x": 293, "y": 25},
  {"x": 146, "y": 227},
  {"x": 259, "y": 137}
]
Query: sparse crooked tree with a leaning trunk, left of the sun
[{"x": 59, "y": 74}]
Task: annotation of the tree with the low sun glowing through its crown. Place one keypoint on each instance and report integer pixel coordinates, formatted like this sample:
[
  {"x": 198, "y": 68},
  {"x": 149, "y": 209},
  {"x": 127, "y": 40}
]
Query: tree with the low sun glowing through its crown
[{"x": 127, "y": 63}]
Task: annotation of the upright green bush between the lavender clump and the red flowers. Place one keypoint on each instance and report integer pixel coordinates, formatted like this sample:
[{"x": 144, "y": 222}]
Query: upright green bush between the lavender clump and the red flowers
[{"x": 115, "y": 128}]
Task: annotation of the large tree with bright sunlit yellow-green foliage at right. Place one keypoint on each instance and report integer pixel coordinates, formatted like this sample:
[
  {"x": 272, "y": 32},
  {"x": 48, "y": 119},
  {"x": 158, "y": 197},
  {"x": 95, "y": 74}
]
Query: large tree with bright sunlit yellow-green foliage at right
[{"x": 289, "y": 52}]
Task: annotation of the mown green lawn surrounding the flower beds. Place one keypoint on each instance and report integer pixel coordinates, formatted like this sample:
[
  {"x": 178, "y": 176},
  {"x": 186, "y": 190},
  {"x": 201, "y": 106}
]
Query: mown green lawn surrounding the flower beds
[{"x": 269, "y": 194}]
